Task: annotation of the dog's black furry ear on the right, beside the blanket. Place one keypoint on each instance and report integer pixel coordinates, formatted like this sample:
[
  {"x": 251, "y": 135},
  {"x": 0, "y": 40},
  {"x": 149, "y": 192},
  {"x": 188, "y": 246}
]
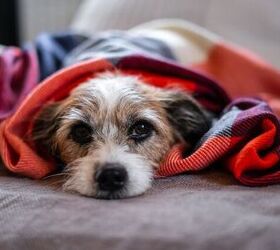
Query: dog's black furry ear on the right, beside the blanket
[{"x": 185, "y": 114}]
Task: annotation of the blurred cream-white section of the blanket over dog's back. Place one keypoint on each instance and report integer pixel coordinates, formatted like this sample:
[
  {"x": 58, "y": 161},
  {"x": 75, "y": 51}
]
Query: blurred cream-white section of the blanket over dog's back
[{"x": 190, "y": 43}]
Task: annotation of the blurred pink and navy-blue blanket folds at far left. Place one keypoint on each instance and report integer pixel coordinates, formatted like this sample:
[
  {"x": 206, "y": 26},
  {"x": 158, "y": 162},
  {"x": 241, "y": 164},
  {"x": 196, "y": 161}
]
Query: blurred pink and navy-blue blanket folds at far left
[{"x": 22, "y": 69}]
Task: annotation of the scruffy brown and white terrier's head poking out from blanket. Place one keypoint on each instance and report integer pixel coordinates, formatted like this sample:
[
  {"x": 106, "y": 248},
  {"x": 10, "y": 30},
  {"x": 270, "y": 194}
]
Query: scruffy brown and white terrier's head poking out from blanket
[{"x": 113, "y": 132}]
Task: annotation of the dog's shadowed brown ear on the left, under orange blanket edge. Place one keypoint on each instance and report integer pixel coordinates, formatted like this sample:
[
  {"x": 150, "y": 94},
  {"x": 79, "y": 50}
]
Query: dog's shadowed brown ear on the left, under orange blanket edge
[{"x": 45, "y": 127}]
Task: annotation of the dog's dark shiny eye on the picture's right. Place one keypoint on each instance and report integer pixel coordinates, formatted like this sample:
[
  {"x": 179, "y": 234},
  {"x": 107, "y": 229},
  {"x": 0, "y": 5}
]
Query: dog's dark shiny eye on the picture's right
[{"x": 140, "y": 130}]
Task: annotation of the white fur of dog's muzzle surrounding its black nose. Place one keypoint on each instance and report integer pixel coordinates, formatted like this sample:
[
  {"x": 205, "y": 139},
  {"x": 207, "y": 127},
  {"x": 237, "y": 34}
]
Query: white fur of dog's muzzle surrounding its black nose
[{"x": 139, "y": 172}]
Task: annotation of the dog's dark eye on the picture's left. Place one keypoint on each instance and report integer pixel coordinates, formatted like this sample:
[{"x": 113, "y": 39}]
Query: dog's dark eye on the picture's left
[{"x": 81, "y": 133}]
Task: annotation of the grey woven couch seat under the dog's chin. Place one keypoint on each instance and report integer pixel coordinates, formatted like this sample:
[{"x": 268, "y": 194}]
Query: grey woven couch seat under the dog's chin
[{"x": 208, "y": 210}]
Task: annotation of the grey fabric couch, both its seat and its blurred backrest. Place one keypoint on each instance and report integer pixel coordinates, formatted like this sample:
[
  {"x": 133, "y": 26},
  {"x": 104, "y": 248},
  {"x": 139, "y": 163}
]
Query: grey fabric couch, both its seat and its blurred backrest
[{"x": 206, "y": 210}]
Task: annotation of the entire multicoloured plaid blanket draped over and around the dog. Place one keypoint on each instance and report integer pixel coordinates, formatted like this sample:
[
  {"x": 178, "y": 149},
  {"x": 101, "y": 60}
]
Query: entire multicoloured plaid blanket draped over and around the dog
[{"x": 245, "y": 138}]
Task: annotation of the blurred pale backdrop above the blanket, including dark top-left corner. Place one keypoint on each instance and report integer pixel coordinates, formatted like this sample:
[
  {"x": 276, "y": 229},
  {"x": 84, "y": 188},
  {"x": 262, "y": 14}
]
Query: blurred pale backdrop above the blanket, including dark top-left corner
[{"x": 254, "y": 24}]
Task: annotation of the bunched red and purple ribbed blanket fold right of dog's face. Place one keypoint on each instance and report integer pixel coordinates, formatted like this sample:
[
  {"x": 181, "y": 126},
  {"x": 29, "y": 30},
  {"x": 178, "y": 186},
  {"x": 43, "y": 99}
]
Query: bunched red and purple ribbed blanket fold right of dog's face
[{"x": 245, "y": 139}]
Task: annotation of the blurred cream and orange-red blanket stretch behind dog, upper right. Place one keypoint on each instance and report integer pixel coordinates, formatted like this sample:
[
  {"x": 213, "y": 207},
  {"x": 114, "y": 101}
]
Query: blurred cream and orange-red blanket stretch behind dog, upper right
[{"x": 238, "y": 71}]
